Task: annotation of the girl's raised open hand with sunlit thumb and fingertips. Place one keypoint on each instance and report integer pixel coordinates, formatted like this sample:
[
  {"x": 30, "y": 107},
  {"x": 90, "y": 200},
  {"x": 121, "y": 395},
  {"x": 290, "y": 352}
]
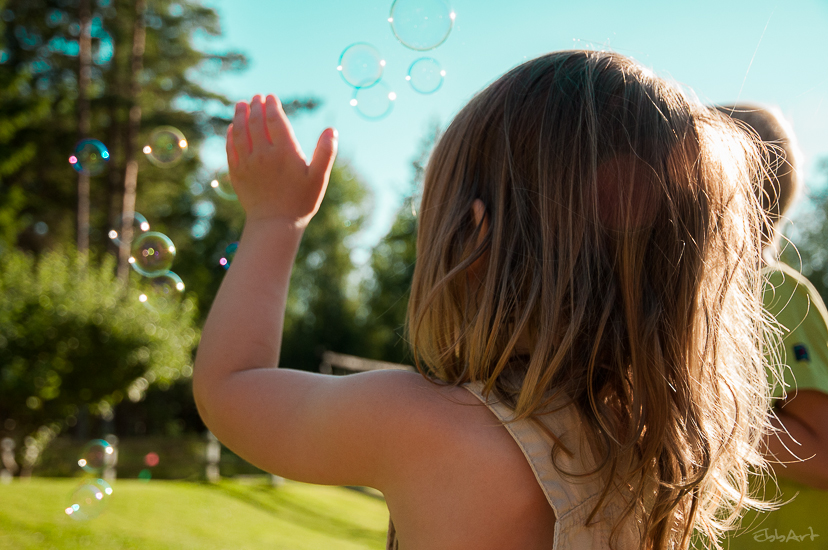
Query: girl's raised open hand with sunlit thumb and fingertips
[{"x": 267, "y": 167}]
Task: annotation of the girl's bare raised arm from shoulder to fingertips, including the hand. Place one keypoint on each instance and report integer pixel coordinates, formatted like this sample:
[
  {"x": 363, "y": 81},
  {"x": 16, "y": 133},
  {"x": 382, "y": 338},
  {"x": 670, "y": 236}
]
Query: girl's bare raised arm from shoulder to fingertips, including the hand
[{"x": 304, "y": 426}]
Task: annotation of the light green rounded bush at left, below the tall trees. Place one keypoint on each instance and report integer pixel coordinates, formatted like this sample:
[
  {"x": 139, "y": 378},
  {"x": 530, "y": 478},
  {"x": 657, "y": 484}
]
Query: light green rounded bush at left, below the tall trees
[{"x": 72, "y": 339}]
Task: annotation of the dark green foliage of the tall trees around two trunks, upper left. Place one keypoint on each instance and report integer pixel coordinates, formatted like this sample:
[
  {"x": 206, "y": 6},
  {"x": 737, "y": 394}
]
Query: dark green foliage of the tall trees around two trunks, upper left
[{"x": 38, "y": 109}]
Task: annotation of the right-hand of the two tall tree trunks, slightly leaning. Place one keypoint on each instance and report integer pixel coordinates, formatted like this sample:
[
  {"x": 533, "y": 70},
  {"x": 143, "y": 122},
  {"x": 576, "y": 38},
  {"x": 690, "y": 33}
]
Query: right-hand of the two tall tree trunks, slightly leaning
[{"x": 133, "y": 126}]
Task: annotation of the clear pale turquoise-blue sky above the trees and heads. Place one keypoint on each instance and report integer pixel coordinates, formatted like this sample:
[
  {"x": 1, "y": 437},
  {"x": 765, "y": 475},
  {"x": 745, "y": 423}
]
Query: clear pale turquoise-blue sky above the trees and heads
[{"x": 768, "y": 52}]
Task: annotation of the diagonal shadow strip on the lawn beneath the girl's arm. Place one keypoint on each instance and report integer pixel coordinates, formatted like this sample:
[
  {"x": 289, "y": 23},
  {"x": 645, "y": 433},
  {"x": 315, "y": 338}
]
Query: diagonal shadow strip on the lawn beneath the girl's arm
[{"x": 290, "y": 508}]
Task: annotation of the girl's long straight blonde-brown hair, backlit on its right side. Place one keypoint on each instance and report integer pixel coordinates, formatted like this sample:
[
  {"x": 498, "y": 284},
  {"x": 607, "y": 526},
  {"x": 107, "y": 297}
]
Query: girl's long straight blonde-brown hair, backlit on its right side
[{"x": 623, "y": 242}]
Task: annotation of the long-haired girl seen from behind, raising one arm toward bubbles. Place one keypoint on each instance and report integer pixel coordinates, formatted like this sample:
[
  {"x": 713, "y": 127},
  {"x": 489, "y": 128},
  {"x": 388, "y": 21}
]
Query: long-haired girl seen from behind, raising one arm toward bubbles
[{"x": 585, "y": 317}]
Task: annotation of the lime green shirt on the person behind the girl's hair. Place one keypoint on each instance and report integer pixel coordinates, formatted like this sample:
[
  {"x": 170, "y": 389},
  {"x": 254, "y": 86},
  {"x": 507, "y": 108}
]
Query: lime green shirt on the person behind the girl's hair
[{"x": 798, "y": 308}]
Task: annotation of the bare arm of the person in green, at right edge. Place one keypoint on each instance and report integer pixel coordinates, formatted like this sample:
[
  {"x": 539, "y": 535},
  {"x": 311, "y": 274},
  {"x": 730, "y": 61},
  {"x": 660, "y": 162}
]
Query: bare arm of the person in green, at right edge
[{"x": 805, "y": 417}]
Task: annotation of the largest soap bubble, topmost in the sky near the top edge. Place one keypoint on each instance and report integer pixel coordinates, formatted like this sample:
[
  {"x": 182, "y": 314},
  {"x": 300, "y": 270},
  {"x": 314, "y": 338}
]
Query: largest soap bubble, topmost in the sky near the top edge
[{"x": 421, "y": 24}]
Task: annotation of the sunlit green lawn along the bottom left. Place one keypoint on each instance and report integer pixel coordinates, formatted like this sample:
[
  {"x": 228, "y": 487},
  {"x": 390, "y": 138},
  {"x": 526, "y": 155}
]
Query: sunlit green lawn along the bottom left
[{"x": 162, "y": 515}]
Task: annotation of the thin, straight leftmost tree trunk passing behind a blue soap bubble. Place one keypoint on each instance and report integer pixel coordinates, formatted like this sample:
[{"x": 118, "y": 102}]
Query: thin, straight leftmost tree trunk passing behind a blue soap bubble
[{"x": 85, "y": 72}]
